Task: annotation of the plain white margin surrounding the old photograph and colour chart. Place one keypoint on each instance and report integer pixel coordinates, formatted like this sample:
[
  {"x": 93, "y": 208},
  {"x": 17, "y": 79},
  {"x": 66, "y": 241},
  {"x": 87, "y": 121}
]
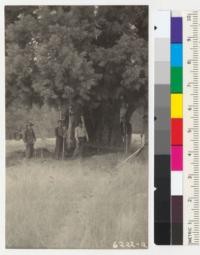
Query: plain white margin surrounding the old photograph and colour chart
[{"x": 153, "y": 5}]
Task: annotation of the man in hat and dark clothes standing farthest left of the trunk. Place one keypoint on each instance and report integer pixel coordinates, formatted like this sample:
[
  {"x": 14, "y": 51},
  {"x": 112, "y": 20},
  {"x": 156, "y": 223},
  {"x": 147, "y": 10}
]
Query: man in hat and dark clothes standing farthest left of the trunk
[{"x": 29, "y": 139}]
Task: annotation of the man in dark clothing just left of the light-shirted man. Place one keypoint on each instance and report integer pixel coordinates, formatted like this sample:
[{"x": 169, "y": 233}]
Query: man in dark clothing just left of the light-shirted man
[{"x": 59, "y": 133}]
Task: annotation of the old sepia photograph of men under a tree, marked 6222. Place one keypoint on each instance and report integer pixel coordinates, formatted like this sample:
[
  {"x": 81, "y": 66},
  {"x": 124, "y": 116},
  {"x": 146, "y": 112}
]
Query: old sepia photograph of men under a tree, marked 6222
[{"x": 76, "y": 83}]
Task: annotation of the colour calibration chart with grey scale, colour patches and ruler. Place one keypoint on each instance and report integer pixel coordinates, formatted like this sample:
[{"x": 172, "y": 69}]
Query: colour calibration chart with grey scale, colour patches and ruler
[{"x": 176, "y": 129}]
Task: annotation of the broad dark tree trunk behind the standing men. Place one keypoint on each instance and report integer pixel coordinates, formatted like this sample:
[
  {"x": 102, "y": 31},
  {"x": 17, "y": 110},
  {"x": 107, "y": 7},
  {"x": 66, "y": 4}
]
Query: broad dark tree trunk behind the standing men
[{"x": 102, "y": 124}]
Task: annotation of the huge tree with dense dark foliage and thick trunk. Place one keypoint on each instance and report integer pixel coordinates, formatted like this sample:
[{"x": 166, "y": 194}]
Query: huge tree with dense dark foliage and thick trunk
[{"x": 85, "y": 57}]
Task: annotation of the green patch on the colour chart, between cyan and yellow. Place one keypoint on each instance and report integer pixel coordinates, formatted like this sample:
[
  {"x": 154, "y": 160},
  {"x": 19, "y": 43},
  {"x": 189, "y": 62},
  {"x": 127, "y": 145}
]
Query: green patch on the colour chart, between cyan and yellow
[{"x": 176, "y": 80}]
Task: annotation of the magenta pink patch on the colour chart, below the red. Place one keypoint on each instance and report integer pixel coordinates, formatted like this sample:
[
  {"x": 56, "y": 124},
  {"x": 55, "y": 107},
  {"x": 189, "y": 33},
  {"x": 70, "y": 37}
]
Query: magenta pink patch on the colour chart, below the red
[{"x": 176, "y": 158}]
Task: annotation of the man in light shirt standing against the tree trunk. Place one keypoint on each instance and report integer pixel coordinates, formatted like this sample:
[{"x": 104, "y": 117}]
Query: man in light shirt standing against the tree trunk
[{"x": 81, "y": 137}]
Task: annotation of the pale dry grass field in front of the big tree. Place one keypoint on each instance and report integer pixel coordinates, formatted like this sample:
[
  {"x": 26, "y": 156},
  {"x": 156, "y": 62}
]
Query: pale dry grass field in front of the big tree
[{"x": 82, "y": 203}]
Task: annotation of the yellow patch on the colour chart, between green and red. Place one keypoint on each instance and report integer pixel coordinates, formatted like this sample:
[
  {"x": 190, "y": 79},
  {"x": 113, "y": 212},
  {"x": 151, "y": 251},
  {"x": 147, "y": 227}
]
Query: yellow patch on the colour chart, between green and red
[{"x": 176, "y": 106}]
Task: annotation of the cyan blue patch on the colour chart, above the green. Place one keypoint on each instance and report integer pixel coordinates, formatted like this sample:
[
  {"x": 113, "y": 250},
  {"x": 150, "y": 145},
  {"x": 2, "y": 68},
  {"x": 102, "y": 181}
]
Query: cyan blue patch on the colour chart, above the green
[{"x": 176, "y": 54}]
